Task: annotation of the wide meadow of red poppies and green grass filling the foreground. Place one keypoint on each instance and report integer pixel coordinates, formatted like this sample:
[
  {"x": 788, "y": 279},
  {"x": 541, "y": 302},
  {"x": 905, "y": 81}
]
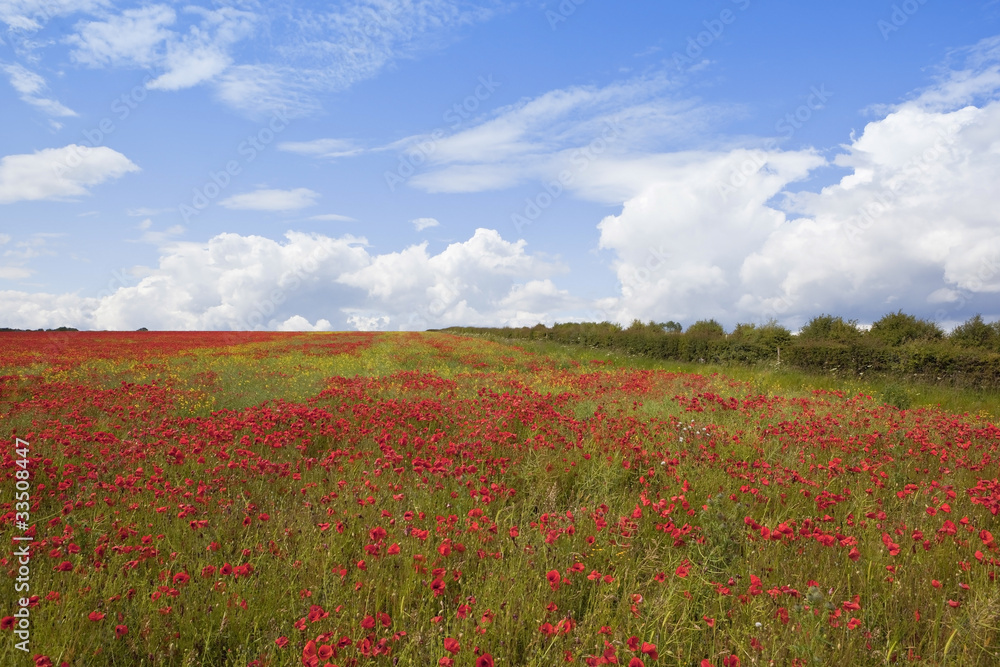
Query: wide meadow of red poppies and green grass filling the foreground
[{"x": 358, "y": 499}]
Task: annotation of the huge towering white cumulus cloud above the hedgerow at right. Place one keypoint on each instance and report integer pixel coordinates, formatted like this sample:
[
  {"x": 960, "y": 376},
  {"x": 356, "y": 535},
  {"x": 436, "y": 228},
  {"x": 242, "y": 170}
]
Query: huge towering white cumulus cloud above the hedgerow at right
[{"x": 912, "y": 225}]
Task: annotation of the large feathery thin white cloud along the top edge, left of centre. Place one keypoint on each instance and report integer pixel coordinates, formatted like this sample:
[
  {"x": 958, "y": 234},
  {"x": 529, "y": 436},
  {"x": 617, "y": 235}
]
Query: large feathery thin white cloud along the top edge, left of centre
[{"x": 311, "y": 50}]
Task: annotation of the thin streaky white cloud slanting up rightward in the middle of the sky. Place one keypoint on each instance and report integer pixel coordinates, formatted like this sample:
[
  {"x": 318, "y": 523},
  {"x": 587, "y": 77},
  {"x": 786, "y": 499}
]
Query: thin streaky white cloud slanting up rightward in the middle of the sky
[{"x": 564, "y": 134}]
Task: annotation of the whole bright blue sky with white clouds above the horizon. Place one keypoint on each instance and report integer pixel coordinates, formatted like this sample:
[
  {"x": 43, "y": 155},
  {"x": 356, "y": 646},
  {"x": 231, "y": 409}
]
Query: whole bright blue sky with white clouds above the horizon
[{"x": 406, "y": 164}]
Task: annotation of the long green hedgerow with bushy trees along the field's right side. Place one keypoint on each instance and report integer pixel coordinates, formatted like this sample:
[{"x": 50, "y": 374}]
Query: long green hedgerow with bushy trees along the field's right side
[{"x": 897, "y": 344}]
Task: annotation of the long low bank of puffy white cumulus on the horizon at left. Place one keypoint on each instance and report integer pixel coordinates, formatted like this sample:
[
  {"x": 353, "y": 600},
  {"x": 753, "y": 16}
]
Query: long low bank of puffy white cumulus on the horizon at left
[{"x": 311, "y": 282}]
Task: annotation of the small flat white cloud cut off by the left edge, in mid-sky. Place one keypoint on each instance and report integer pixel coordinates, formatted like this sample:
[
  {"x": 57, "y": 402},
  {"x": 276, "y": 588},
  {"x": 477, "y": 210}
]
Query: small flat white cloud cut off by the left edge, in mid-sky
[{"x": 58, "y": 173}]
